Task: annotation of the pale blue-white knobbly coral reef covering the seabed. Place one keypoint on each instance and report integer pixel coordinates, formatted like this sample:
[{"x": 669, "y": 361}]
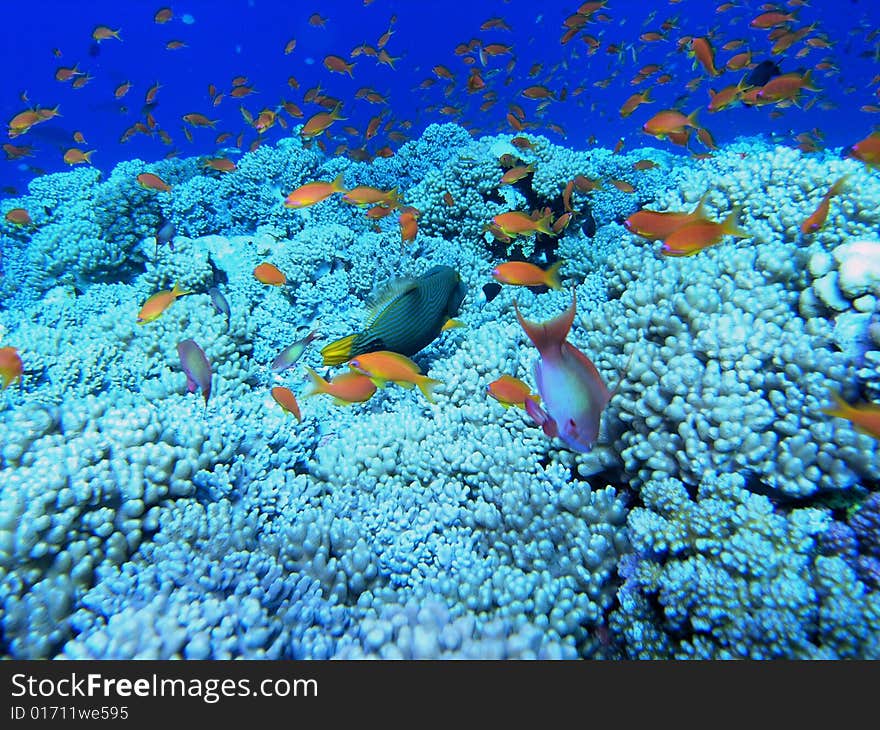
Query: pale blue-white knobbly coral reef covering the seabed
[{"x": 728, "y": 510}]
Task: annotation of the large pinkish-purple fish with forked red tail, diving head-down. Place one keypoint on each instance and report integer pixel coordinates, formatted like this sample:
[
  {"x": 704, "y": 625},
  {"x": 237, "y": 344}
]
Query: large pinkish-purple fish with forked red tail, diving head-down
[{"x": 570, "y": 387}]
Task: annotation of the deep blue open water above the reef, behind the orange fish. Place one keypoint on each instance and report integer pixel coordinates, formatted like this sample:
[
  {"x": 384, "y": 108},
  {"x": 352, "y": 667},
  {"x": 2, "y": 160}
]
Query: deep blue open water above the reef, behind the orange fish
[{"x": 247, "y": 37}]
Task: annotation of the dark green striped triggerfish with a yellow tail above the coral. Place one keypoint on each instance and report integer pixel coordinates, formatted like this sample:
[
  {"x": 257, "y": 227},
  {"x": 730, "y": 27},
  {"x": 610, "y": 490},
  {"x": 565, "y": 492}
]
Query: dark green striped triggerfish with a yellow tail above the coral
[{"x": 406, "y": 317}]
